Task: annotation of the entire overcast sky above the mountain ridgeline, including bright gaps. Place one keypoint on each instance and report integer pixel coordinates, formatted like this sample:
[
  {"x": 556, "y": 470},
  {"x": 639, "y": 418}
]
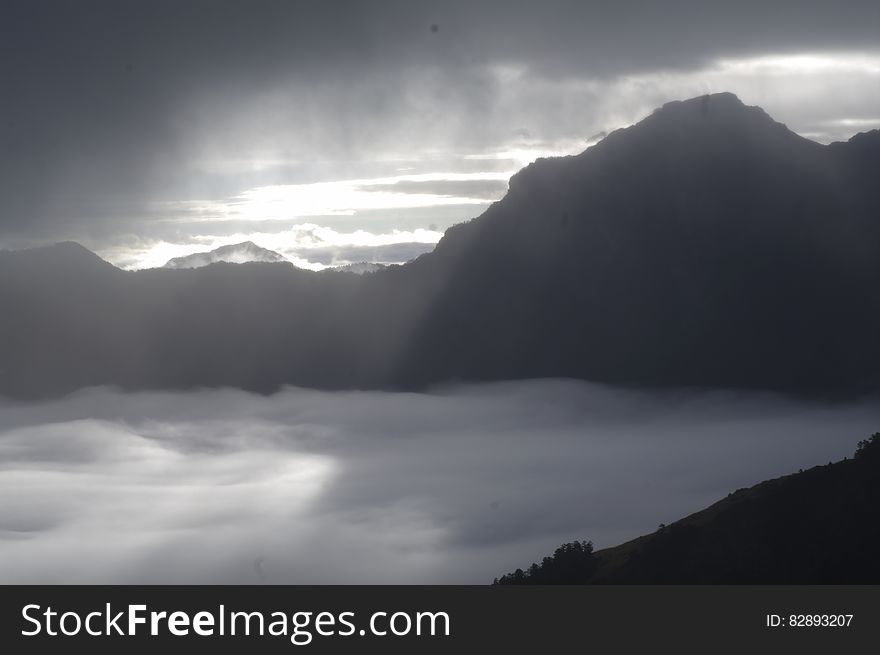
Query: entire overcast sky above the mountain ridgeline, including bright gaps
[{"x": 148, "y": 130}]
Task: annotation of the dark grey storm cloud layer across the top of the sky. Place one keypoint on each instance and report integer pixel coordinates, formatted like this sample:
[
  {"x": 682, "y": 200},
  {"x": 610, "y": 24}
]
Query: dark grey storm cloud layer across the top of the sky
[{"x": 111, "y": 105}]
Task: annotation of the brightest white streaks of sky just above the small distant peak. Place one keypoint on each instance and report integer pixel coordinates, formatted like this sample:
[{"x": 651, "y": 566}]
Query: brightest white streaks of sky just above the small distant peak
[{"x": 323, "y": 200}]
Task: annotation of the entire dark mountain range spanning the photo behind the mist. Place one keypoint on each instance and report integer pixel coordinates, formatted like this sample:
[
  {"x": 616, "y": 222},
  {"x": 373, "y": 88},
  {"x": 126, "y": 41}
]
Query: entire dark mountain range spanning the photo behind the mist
[{"x": 705, "y": 246}]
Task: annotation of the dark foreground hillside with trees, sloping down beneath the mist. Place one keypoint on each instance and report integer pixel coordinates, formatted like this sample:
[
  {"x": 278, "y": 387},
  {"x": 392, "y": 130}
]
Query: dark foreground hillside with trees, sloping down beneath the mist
[{"x": 820, "y": 526}]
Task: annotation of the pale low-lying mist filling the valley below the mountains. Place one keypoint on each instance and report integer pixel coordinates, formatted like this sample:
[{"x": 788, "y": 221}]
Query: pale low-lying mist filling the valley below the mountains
[{"x": 455, "y": 486}]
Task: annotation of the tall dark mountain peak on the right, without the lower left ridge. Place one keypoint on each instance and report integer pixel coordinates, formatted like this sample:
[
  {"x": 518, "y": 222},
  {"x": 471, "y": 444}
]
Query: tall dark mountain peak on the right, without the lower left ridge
[{"x": 706, "y": 245}]
